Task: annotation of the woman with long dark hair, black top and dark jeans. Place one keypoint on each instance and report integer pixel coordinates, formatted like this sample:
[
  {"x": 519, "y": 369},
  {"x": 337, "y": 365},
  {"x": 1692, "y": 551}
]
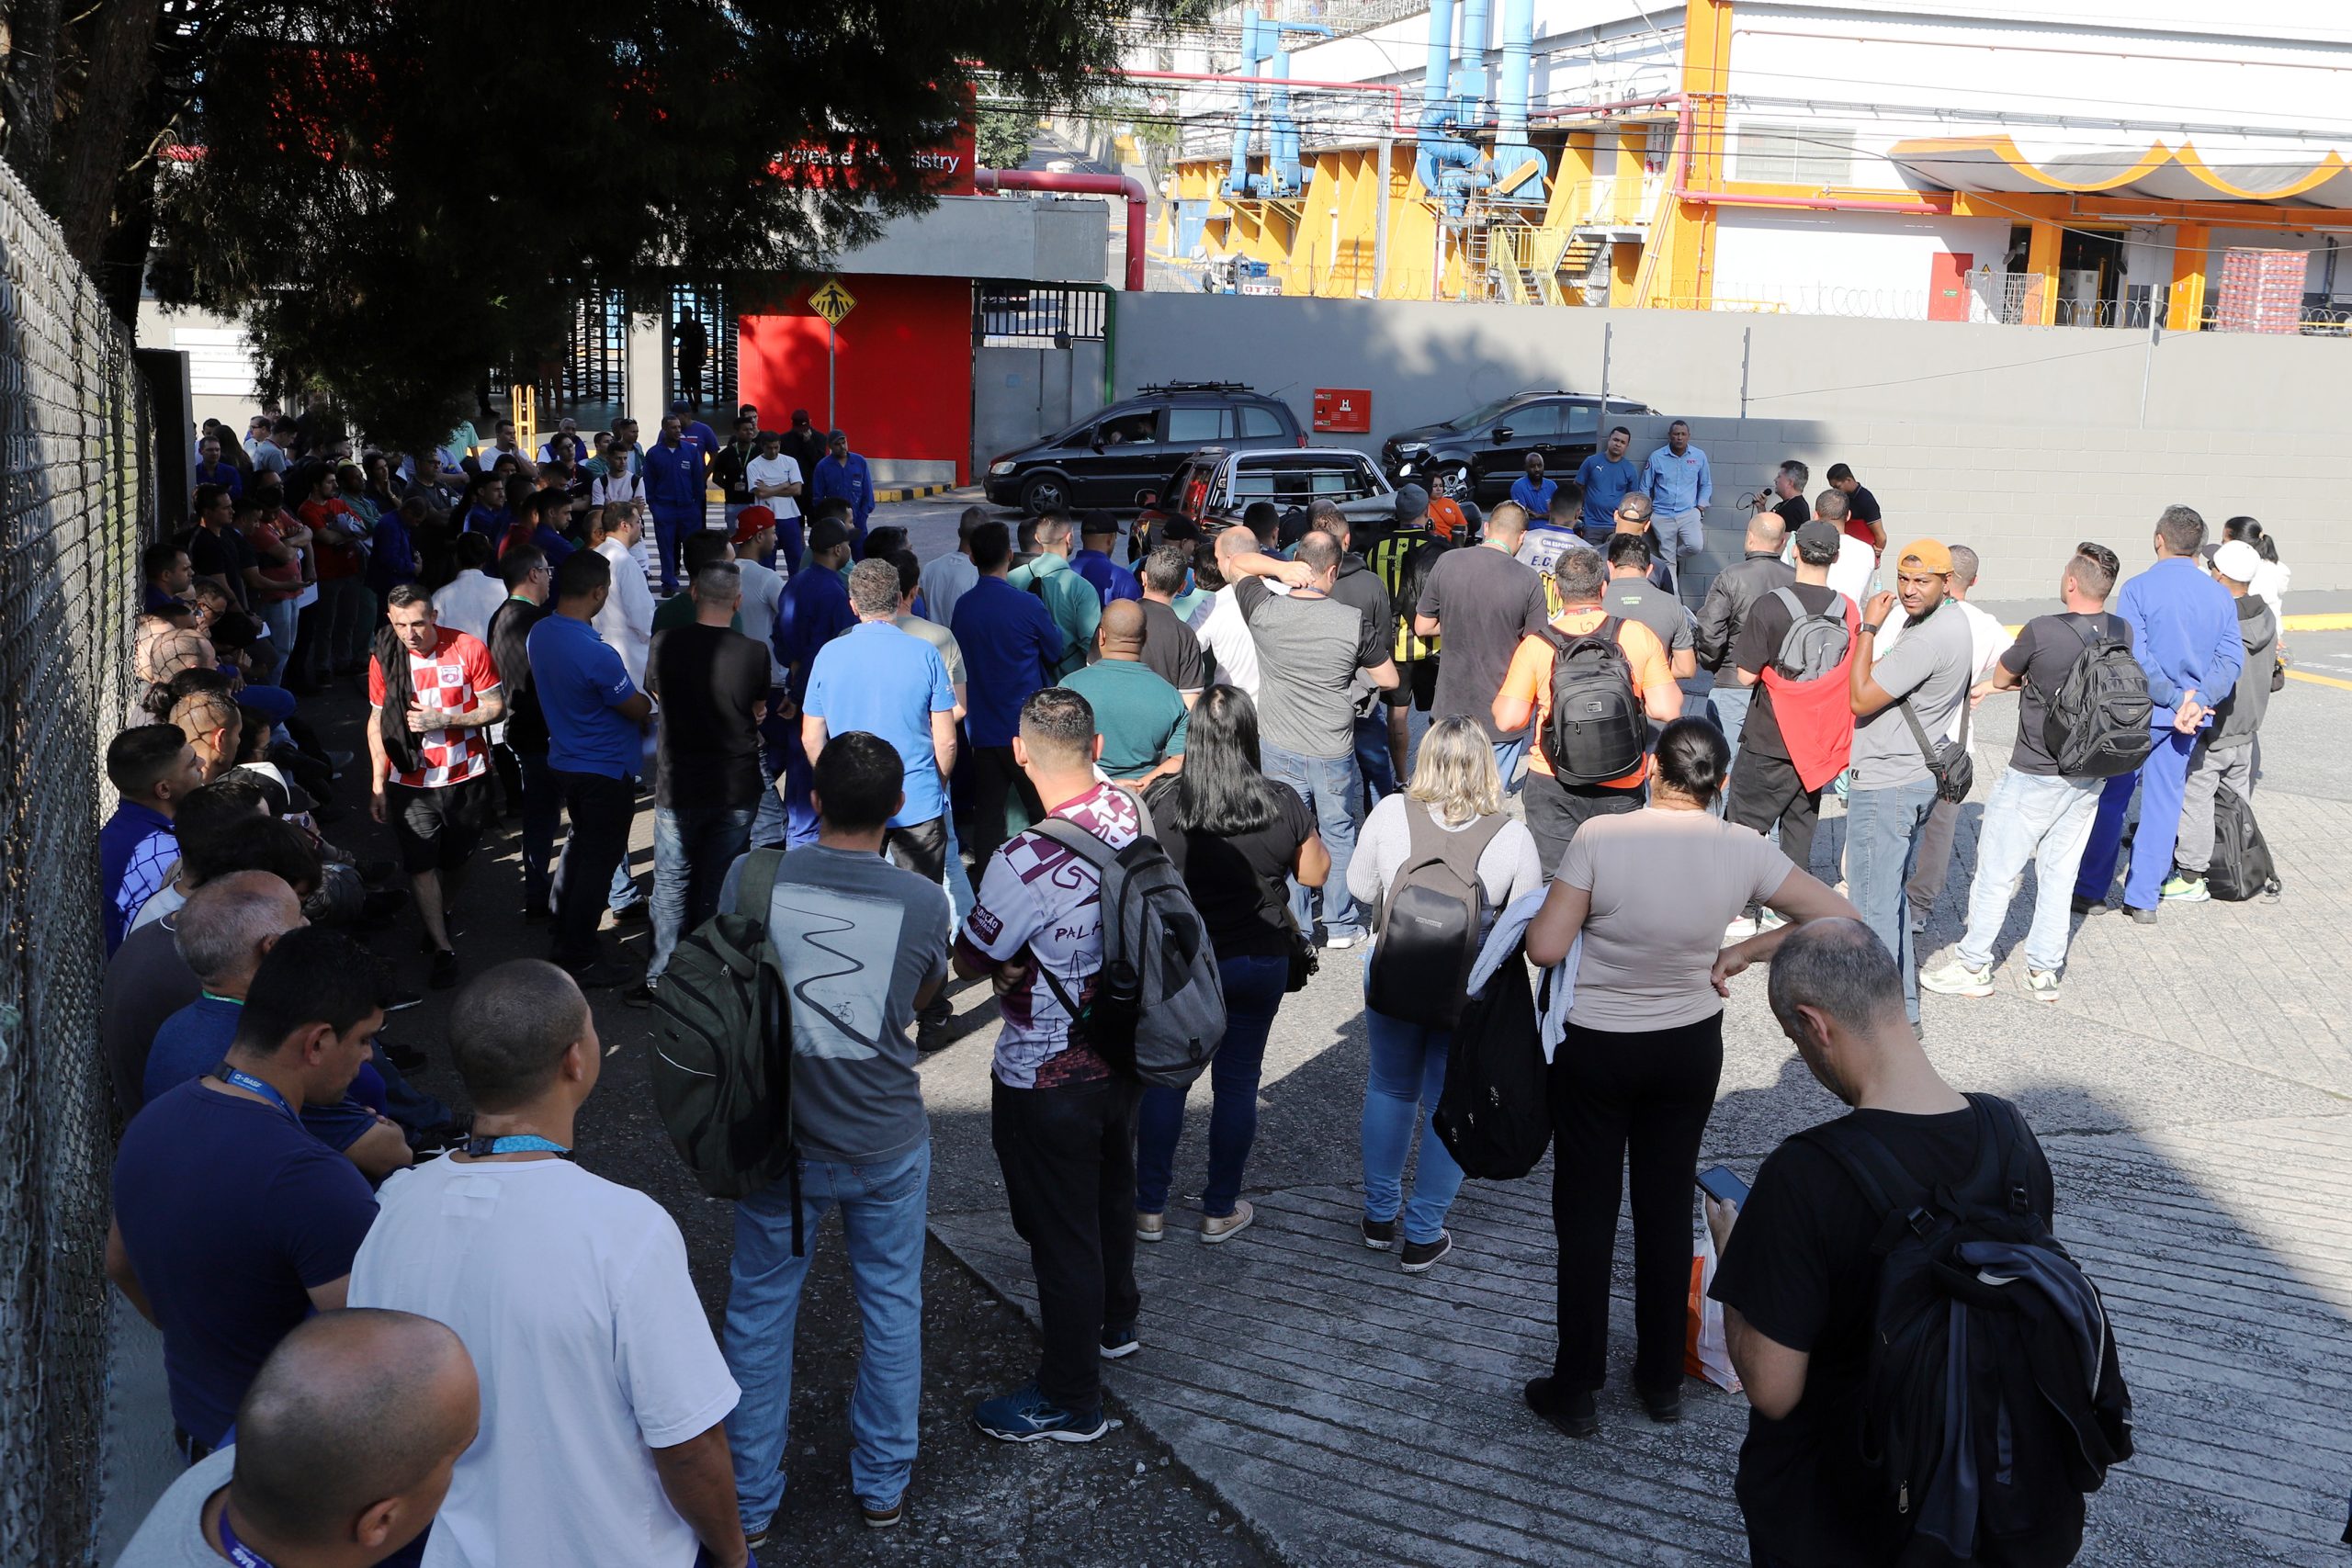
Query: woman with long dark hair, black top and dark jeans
[{"x": 1238, "y": 838}]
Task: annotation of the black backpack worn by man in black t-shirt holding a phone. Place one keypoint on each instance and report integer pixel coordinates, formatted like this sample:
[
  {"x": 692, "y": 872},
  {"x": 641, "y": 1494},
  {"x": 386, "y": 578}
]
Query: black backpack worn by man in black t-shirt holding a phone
[{"x": 1993, "y": 1400}]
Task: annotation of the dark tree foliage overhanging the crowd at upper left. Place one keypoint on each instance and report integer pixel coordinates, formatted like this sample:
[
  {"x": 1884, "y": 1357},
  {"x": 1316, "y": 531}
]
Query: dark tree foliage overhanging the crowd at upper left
[{"x": 427, "y": 194}]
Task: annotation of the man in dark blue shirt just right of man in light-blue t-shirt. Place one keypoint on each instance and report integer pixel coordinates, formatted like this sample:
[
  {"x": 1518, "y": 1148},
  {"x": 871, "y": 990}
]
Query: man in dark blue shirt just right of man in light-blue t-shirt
[{"x": 1013, "y": 648}]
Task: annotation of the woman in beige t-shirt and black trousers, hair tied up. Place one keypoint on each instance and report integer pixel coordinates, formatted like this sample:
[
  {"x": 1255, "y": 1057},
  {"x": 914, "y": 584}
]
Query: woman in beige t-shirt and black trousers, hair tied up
[{"x": 1652, "y": 894}]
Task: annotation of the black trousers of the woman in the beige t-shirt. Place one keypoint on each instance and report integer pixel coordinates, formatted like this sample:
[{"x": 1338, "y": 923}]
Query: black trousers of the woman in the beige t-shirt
[{"x": 1615, "y": 1094}]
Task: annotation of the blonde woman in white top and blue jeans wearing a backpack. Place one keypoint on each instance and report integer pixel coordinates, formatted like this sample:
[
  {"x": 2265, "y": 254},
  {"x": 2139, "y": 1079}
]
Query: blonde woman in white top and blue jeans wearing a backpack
[{"x": 1459, "y": 791}]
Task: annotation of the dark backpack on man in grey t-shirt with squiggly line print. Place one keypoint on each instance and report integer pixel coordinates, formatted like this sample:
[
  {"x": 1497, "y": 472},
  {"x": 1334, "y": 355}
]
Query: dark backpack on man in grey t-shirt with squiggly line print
[{"x": 723, "y": 1047}]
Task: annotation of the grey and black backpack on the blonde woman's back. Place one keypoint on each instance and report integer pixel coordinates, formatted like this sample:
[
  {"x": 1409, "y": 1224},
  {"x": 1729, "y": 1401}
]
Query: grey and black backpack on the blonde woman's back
[{"x": 1429, "y": 930}]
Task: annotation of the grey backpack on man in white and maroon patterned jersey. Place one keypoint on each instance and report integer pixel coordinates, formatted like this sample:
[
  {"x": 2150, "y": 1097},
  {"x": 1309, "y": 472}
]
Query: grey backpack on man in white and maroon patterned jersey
[{"x": 1158, "y": 1005}]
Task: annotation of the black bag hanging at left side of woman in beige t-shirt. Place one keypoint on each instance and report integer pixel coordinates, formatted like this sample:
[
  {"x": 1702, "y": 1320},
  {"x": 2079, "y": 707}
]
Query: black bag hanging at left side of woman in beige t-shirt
[{"x": 1495, "y": 1115}]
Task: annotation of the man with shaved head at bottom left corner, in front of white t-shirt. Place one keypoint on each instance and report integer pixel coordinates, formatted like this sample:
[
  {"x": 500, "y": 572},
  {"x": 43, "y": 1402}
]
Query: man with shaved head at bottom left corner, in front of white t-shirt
[{"x": 345, "y": 1452}]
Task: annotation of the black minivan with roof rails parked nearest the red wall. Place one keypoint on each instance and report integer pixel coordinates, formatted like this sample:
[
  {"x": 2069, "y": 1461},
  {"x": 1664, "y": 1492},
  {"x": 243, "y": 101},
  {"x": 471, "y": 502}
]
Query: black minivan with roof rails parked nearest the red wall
[{"x": 1111, "y": 460}]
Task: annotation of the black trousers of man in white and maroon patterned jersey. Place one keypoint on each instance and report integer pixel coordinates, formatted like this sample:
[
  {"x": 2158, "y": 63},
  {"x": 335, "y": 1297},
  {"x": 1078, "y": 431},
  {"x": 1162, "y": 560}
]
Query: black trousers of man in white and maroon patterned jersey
[{"x": 1069, "y": 1160}]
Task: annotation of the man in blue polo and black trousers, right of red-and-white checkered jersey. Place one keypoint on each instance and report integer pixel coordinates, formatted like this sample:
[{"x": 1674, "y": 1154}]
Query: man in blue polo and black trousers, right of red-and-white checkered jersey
[{"x": 596, "y": 749}]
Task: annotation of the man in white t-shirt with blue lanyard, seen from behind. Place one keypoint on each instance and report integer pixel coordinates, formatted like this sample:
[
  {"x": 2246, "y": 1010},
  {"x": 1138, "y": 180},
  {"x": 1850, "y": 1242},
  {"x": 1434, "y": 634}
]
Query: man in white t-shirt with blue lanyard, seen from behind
[{"x": 603, "y": 1393}]
